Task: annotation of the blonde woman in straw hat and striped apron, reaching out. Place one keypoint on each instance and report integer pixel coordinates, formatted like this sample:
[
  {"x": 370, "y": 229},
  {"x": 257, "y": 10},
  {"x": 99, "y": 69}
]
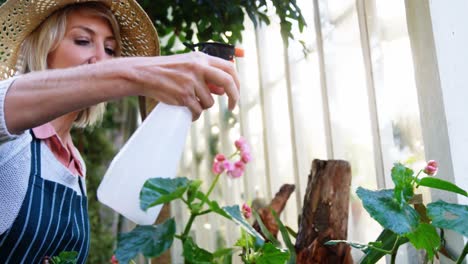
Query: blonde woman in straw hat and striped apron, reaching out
[{"x": 63, "y": 58}]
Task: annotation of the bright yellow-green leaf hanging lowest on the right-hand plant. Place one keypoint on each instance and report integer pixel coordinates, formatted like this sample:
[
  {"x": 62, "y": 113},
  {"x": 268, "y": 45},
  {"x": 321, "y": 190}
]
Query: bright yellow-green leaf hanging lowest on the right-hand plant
[{"x": 425, "y": 237}]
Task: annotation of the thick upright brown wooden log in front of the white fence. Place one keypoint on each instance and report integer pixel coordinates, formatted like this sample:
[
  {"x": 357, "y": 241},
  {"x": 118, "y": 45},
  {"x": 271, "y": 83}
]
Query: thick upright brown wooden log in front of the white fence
[{"x": 325, "y": 214}]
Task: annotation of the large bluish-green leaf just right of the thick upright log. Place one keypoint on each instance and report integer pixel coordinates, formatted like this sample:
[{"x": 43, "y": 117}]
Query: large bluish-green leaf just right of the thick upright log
[{"x": 381, "y": 206}]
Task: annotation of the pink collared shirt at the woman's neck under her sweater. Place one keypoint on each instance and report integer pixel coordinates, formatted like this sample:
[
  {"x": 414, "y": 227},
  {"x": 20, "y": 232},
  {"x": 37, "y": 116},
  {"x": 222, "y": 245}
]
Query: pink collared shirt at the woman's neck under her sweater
[{"x": 65, "y": 153}]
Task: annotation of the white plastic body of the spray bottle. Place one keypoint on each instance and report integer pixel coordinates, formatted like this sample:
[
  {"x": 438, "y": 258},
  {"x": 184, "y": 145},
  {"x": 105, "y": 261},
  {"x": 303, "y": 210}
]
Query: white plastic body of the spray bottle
[{"x": 154, "y": 150}]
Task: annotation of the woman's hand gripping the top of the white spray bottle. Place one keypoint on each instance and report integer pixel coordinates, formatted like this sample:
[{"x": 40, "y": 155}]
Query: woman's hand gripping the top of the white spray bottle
[{"x": 183, "y": 79}]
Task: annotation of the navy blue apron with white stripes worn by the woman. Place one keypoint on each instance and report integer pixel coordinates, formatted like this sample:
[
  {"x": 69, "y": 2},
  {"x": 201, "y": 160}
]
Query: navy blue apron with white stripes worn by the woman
[{"x": 52, "y": 219}]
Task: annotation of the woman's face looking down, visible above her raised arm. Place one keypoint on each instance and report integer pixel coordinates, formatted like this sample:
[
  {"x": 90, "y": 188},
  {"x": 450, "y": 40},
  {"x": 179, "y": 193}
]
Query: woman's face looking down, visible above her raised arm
[{"x": 88, "y": 39}]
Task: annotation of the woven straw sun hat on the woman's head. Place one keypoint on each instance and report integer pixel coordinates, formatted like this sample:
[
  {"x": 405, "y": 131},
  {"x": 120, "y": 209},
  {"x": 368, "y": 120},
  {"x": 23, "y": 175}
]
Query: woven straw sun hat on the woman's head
[{"x": 18, "y": 18}]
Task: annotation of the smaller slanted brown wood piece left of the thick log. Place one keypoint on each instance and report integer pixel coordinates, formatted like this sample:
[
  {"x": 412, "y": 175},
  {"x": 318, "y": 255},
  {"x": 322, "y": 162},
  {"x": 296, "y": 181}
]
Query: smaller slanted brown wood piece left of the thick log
[{"x": 278, "y": 203}]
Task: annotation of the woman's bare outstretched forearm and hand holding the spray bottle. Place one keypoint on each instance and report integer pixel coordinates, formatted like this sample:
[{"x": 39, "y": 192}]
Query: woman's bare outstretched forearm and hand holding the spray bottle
[{"x": 39, "y": 97}]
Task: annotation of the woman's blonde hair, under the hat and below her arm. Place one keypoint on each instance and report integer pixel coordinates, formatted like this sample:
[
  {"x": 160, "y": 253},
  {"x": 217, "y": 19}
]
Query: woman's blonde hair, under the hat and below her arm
[{"x": 46, "y": 38}]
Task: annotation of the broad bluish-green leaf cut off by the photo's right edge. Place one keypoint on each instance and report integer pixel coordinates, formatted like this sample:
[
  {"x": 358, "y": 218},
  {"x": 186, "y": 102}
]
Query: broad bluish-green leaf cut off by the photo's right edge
[{"x": 449, "y": 216}]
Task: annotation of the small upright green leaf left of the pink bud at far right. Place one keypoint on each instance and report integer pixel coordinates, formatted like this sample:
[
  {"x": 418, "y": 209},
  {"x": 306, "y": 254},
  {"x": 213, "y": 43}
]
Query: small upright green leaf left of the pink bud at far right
[{"x": 403, "y": 179}]
